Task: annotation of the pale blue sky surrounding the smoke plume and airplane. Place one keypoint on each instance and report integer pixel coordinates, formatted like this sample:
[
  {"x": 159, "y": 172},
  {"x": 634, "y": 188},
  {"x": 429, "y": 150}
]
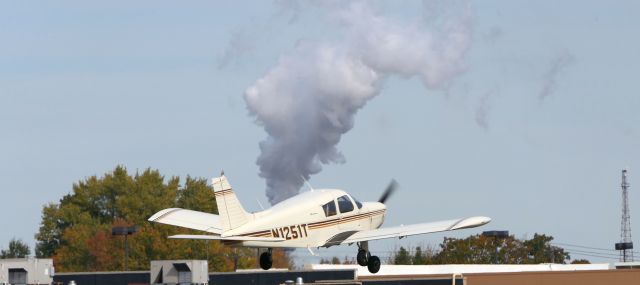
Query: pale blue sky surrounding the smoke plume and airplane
[{"x": 88, "y": 86}]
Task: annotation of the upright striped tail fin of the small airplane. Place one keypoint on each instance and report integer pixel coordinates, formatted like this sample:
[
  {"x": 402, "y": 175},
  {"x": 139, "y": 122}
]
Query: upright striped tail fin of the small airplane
[{"x": 232, "y": 214}]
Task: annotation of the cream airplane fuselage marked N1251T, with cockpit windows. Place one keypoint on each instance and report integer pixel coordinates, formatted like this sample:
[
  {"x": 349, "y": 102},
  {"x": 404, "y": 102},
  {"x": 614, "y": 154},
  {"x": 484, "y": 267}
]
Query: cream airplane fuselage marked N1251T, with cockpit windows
[{"x": 311, "y": 219}]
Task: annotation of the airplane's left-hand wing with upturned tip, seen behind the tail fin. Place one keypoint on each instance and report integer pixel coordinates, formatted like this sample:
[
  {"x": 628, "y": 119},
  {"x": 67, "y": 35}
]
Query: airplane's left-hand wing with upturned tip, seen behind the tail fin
[{"x": 189, "y": 219}]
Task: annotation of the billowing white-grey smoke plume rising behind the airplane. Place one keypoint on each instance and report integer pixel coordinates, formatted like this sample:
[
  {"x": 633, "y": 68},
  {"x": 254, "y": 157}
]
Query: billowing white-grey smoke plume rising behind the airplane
[{"x": 309, "y": 99}]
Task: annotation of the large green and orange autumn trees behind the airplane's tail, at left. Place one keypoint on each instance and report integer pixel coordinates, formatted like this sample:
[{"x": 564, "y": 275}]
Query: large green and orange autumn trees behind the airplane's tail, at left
[{"x": 76, "y": 231}]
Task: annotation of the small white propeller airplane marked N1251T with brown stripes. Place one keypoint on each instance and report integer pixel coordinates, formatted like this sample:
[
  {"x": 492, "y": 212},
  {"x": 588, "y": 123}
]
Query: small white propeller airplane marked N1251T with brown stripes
[{"x": 317, "y": 218}]
